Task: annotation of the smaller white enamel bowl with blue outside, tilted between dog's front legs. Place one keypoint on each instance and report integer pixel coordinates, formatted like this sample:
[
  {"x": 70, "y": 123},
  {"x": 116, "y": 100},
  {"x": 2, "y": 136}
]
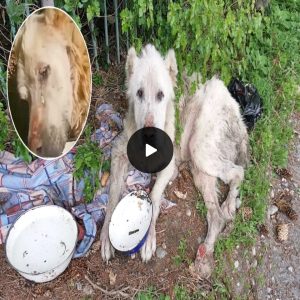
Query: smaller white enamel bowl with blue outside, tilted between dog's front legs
[{"x": 130, "y": 222}]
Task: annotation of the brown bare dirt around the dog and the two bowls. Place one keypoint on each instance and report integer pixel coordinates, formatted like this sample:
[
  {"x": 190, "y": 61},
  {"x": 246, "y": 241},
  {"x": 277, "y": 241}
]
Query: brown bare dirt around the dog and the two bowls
[{"x": 124, "y": 276}]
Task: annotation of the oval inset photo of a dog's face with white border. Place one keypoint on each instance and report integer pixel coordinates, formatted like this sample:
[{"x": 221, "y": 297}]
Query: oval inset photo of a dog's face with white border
[{"x": 49, "y": 83}]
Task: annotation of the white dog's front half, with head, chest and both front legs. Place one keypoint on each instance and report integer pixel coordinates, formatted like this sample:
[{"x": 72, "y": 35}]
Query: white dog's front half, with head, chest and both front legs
[{"x": 150, "y": 88}]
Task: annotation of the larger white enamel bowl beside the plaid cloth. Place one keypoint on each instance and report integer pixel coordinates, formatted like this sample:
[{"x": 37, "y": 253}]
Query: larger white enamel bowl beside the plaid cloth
[{"x": 41, "y": 242}]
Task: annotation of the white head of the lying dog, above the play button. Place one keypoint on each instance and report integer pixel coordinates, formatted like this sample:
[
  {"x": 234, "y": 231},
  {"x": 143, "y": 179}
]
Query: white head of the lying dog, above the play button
[{"x": 150, "y": 81}]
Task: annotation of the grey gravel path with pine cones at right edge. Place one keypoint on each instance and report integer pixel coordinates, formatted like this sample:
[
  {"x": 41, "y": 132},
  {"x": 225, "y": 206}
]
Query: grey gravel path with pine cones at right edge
[{"x": 271, "y": 268}]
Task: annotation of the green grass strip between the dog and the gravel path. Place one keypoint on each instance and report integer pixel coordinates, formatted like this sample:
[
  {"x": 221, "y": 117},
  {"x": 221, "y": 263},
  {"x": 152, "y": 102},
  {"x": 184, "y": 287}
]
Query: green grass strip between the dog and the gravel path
[{"x": 276, "y": 76}]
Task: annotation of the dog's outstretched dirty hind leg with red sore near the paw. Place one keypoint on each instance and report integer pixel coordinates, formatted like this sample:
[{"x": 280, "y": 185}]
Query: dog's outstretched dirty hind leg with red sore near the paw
[{"x": 208, "y": 186}]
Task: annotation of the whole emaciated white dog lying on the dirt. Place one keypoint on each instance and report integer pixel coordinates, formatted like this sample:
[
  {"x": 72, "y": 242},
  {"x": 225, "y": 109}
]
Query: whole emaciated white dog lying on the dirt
[{"x": 214, "y": 142}]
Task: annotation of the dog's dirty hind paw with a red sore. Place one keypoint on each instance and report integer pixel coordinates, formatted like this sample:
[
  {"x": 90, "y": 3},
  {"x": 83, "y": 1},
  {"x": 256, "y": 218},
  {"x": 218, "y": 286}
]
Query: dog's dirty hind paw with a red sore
[{"x": 204, "y": 263}]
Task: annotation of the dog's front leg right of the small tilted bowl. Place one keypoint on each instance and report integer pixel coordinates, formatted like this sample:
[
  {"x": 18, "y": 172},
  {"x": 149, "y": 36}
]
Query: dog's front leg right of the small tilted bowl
[{"x": 162, "y": 180}]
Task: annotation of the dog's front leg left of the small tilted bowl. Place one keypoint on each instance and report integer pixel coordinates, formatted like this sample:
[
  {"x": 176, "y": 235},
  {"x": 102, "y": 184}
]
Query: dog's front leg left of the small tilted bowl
[{"x": 119, "y": 168}]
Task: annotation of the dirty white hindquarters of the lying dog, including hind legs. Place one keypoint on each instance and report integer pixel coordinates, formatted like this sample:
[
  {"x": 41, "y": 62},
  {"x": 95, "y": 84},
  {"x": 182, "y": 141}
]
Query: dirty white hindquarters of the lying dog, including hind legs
[{"x": 215, "y": 142}]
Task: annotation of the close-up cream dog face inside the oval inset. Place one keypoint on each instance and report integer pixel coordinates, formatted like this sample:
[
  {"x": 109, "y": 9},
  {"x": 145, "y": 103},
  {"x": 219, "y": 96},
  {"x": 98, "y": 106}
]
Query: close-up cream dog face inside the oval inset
[{"x": 45, "y": 82}]
